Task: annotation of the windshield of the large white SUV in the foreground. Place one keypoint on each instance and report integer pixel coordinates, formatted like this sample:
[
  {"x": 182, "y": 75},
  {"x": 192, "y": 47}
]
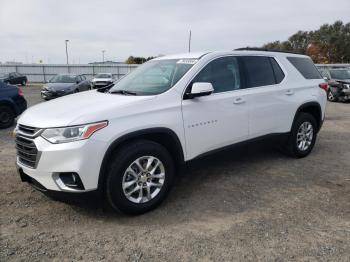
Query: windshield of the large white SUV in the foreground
[{"x": 154, "y": 77}]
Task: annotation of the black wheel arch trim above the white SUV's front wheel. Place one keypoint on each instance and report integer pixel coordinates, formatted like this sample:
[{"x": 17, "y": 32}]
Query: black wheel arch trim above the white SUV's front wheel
[{"x": 164, "y": 136}]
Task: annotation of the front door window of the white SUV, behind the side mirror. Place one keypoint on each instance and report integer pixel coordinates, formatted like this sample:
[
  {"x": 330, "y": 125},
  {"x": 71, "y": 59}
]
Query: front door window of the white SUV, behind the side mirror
[{"x": 222, "y": 73}]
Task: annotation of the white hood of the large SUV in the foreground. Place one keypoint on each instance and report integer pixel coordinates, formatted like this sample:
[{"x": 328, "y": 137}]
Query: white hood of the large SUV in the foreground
[{"x": 80, "y": 108}]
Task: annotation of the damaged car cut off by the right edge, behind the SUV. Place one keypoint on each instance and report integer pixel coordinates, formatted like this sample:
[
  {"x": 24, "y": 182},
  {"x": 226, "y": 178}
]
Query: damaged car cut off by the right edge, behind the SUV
[{"x": 339, "y": 84}]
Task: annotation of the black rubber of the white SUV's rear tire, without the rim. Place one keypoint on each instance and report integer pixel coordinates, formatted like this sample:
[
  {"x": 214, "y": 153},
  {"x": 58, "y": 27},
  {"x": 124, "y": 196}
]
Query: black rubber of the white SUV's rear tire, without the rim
[{"x": 292, "y": 143}]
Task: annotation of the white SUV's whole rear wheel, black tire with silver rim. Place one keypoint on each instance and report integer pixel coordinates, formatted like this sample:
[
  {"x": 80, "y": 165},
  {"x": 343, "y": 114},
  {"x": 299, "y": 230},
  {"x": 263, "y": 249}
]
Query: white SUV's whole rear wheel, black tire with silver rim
[{"x": 294, "y": 147}]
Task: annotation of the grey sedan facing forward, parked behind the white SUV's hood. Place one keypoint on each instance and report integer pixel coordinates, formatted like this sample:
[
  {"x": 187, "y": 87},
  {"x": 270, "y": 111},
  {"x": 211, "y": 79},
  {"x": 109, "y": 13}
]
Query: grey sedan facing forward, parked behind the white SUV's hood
[{"x": 64, "y": 84}]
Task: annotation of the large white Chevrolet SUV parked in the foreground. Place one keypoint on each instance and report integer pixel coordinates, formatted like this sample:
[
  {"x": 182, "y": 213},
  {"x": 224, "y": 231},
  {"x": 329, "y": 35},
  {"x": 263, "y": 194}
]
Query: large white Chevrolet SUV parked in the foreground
[{"x": 128, "y": 142}]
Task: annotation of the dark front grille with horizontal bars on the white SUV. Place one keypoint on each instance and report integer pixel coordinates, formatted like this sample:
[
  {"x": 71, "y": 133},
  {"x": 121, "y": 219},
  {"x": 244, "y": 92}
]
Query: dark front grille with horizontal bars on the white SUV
[{"x": 26, "y": 151}]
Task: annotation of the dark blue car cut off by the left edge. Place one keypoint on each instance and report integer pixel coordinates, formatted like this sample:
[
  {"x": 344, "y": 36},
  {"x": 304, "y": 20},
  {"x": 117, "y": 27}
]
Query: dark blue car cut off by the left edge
[{"x": 12, "y": 104}]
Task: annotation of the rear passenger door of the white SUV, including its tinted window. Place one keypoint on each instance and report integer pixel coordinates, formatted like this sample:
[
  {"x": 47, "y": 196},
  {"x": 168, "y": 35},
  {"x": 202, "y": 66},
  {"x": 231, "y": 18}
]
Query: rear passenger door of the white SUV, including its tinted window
[{"x": 271, "y": 109}]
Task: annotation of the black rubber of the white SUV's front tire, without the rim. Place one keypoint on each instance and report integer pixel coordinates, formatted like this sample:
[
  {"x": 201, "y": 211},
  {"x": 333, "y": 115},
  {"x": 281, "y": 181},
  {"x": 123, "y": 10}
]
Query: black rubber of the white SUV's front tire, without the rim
[{"x": 121, "y": 161}]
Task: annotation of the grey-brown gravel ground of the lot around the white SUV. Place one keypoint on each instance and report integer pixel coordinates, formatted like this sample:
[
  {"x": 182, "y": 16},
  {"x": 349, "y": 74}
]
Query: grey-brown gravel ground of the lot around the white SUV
[{"x": 251, "y": 203}]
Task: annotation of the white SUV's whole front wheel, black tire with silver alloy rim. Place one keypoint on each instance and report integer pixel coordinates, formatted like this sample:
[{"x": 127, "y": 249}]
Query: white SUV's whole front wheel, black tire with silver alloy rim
[{"x": 117, "y": 176}]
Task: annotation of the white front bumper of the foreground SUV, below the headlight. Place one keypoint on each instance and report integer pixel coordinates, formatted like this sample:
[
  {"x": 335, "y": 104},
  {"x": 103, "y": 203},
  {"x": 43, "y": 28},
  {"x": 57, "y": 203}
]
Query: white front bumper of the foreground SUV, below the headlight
[{"x": 81, "y": 157}]
